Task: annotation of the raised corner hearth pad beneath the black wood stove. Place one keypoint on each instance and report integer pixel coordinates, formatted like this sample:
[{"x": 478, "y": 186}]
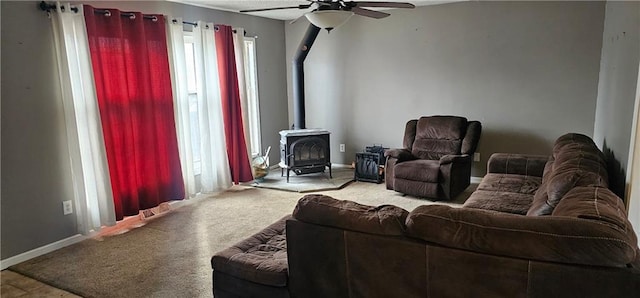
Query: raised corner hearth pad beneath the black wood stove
[{"x": 340, "y": 176}]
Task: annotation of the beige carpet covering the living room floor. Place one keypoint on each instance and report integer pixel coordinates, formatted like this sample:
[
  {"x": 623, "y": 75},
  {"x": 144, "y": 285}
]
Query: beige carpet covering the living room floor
[{"x": 170, "y": 256}]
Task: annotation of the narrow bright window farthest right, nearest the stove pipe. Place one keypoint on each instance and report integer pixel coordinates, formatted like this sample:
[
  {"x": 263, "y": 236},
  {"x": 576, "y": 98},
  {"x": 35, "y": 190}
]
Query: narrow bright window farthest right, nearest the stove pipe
[{"x": 253, "y": 106}]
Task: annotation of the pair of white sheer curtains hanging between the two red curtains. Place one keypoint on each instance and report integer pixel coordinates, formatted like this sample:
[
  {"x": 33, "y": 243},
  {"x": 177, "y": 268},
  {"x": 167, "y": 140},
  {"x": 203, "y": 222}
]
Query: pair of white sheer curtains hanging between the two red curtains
[{"x": 214, "y": 163}]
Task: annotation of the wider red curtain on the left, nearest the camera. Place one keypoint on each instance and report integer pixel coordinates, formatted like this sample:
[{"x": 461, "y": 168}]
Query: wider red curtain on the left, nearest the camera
[{"x": 131, "y": 71}]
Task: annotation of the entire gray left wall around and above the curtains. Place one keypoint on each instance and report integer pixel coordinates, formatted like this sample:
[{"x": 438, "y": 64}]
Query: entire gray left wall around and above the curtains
[{"x": 35, "y": 165}]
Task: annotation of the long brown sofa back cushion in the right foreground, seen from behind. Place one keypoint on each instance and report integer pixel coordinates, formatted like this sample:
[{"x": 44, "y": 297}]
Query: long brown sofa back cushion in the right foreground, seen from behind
[{"x": 561, "y": 239}]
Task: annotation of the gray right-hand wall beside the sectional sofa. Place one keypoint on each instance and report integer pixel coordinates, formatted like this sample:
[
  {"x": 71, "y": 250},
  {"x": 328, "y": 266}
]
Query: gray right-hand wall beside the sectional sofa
[{"x": 617, "y": 87}]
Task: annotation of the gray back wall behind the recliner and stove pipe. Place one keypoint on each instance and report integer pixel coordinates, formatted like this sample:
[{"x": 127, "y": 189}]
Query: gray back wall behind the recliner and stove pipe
[{"x": 527, "y": 70}]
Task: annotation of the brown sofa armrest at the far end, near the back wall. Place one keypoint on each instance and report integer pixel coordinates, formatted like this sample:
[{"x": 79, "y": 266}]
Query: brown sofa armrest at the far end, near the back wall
[{"x": 521, "y": 164}]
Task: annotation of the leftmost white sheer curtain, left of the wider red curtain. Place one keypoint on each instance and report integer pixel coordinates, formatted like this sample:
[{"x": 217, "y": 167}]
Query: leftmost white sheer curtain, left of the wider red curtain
[{"x": 93, "y": 199}]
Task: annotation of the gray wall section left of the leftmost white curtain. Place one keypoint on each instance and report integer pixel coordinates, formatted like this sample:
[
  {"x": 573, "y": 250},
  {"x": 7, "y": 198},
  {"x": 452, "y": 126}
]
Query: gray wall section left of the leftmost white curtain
[{"x": 35, "y": 162}]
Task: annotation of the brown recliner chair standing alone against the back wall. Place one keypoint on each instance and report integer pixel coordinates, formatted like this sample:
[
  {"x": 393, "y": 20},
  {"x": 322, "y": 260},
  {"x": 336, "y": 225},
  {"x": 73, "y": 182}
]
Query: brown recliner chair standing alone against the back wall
[{"x": 436, "y": 159}]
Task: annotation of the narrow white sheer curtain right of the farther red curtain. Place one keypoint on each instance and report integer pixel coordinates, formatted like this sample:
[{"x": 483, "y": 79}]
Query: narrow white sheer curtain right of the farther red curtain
[{"x": 238, "y": 47}]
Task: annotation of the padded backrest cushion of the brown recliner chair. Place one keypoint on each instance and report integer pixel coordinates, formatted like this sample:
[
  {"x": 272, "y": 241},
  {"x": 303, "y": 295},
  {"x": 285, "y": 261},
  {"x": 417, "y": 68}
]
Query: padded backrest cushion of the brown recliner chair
[{"x": 437, "y": 136}]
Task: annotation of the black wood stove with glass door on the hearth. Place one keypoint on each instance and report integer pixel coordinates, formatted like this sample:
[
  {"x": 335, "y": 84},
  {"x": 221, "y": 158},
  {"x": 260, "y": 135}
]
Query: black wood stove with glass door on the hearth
[{"x": 304, "y": 151}]
